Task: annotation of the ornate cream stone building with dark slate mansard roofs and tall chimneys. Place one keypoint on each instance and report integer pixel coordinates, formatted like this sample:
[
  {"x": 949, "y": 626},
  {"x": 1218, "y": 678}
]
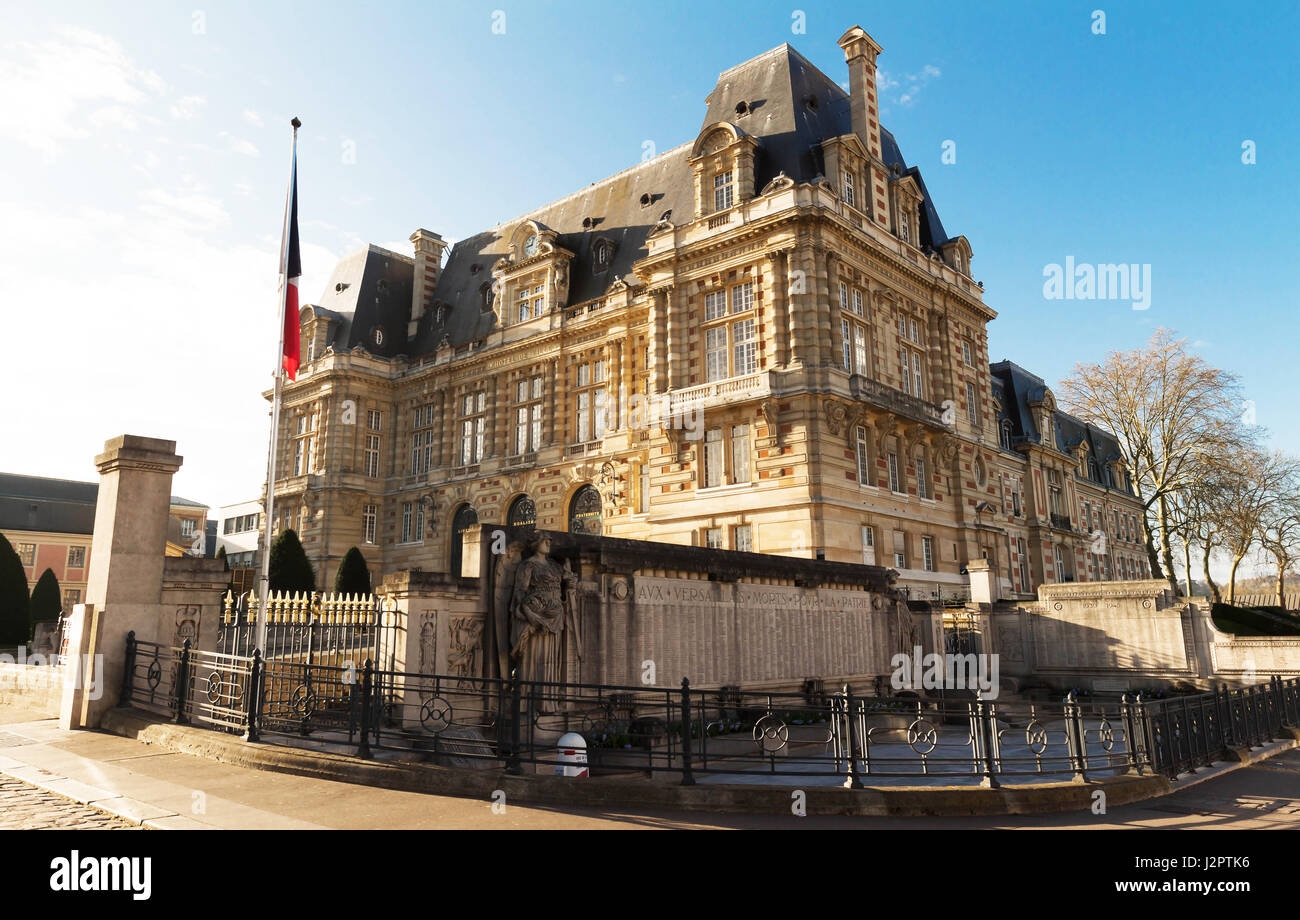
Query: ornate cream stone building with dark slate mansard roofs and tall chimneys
[{"x": 736, "y": 345}]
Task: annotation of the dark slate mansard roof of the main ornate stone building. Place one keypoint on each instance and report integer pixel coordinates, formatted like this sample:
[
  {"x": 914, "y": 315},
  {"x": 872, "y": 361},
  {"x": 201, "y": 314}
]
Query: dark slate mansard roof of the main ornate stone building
[{"x": 792, "y": 109}]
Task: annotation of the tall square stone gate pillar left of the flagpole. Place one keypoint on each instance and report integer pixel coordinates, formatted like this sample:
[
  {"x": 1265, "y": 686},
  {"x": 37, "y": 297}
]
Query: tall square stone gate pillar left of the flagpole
[{"x": 124, "y": 589}]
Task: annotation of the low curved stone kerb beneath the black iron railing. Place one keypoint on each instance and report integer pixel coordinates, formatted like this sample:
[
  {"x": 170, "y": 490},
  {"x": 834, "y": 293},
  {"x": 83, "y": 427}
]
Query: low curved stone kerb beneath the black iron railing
[{"x": 639, "y": 793}]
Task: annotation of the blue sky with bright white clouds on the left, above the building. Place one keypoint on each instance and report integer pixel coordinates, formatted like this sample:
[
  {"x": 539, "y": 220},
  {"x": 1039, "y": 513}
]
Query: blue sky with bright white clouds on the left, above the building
[{"x": 144, "y": 155}]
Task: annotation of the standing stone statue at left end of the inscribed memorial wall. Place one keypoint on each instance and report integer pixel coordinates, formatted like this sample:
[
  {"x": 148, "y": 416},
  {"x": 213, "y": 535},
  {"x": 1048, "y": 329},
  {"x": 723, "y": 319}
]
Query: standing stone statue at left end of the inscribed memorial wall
[{"x": 543, "y": 604}]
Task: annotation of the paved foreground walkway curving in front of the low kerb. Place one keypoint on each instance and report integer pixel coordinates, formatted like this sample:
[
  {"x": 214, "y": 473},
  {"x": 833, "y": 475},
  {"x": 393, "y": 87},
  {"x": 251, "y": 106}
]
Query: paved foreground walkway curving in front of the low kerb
[{"x": 164, "y": 791}]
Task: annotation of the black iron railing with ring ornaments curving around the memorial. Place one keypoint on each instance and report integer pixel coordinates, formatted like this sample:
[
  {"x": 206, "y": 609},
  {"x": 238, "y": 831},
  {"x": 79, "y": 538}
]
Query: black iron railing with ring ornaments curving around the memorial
[{"x": 720, "y": 735}]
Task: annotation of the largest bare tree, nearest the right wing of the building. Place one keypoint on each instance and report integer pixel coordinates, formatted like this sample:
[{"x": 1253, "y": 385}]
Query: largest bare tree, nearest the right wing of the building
[{"x": 1172, "y": 413}]
